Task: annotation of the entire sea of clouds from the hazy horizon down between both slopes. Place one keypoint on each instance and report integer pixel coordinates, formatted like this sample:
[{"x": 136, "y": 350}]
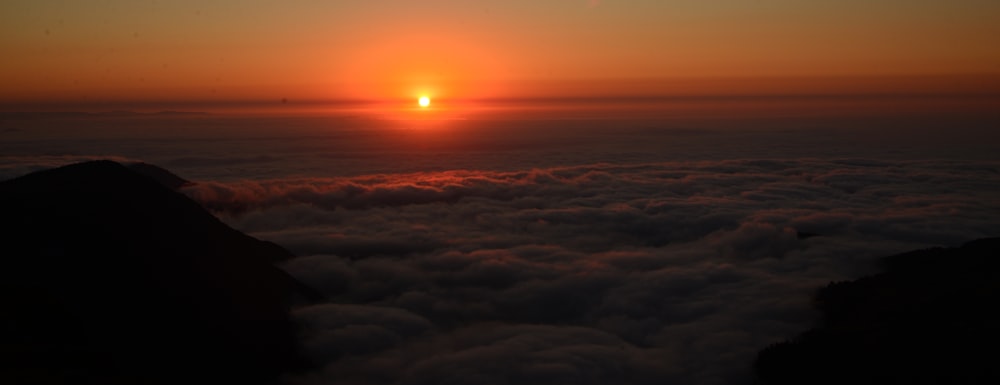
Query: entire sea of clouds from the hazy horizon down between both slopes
[{"x": 520, "y": 252}]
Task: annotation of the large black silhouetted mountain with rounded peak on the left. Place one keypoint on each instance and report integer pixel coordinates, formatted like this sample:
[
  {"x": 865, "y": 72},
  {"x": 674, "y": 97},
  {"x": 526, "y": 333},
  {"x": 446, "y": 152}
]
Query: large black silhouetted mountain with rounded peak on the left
[{"x": 107, "y": 276}]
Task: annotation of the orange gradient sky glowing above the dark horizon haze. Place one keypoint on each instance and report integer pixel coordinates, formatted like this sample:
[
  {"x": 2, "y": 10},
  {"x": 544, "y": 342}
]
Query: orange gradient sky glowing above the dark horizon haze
[{"x": 209, "y": 50}]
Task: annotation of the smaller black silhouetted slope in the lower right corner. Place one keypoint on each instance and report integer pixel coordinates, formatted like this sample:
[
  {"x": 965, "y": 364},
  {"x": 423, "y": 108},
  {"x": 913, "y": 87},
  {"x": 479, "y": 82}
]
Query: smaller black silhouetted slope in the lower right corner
[{"x": 931, "y": 318}]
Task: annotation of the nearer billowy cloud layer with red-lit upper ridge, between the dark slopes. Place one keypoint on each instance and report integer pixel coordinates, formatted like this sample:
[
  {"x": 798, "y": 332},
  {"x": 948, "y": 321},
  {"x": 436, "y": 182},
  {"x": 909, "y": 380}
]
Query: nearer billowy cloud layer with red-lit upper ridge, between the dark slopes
[{"x": 601, "y": 273}]
